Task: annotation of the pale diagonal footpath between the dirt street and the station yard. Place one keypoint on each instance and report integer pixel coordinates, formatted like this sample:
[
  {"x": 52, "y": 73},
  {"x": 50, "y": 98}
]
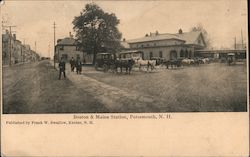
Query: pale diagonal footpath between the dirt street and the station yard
[{"x": 115, "y": 99}]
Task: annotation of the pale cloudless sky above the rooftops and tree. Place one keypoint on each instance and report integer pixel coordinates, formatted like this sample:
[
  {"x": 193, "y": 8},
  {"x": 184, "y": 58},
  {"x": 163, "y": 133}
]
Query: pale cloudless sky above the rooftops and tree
[{"x": 223, "y": 19}]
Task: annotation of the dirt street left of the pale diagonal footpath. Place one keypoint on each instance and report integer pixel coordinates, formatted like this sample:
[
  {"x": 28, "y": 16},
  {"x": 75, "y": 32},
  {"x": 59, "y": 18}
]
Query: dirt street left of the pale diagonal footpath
[{"x": 35, "y": 88}]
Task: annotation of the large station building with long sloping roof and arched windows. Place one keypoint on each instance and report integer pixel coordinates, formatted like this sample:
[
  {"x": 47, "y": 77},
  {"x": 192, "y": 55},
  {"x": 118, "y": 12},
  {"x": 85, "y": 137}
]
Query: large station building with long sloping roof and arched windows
[{"x": 169, "y": 46}]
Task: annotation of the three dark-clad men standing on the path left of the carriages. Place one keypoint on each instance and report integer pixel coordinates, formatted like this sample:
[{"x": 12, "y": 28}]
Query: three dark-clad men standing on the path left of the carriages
[{"x": 75, "y": 64}]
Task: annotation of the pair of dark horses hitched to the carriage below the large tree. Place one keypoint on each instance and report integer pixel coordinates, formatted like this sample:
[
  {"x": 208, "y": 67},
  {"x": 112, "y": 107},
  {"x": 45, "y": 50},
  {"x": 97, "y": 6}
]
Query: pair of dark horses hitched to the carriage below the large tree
[{"x": 127, "y": 64}]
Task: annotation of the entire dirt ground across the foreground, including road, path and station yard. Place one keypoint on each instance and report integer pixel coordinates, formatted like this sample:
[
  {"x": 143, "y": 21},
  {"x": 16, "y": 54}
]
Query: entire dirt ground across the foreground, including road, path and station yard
[{"x": 35, "y": 88}]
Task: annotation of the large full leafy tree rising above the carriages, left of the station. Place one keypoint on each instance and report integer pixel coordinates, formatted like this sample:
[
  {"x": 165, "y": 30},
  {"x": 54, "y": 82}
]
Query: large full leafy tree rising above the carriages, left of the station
[{"x": 96, "y": 30}]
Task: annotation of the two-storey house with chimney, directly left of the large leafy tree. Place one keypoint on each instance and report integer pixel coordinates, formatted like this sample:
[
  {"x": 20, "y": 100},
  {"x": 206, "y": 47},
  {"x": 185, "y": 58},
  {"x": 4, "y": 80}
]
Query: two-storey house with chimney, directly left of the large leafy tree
[{"x": 67, "y": 48}]
